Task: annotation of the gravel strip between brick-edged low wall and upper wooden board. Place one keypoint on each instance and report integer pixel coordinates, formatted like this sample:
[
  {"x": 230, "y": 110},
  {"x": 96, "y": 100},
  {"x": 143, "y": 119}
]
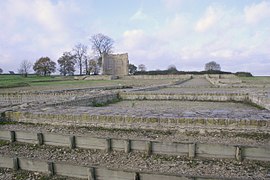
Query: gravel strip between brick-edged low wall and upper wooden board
[{"x": 222, "y": 137}]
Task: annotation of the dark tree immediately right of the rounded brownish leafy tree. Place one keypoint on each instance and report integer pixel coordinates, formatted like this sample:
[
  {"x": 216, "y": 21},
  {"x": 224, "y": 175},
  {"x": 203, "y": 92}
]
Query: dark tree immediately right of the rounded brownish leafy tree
[{"x": 67, "y": 64}]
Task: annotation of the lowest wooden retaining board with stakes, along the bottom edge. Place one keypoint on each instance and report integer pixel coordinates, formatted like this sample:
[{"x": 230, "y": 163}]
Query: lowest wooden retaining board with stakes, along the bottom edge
[{"x": 85, "y": 172}]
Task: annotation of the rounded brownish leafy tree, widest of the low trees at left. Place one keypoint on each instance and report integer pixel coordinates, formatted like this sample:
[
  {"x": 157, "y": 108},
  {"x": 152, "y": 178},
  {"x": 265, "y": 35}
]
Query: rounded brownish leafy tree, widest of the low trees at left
[{"x": 44, "y": 66}]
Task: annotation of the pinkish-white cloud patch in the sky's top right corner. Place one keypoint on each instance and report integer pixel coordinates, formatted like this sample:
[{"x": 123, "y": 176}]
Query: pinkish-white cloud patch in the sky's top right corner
[{"x": 257, "y": 12}]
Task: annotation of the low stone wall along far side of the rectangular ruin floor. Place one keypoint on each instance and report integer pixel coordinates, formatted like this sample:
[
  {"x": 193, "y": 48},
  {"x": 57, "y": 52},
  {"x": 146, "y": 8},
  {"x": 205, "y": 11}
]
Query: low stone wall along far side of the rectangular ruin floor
[{"x": 219, "y": 97}]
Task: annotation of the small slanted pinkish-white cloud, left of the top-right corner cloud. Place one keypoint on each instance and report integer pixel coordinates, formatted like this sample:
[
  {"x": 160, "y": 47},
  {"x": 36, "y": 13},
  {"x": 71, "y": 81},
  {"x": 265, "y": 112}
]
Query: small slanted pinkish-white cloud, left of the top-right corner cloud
[{"x": 209, "y": 19}]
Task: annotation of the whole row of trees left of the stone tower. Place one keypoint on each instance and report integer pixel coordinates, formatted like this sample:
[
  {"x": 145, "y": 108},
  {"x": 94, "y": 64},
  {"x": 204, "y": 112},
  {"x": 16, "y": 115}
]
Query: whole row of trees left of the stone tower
[{"x": 78, "y": 56}]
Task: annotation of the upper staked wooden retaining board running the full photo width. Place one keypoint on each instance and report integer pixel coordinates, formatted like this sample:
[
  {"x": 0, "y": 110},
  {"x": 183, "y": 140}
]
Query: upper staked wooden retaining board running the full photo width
[{"x": 190, "y": 149}]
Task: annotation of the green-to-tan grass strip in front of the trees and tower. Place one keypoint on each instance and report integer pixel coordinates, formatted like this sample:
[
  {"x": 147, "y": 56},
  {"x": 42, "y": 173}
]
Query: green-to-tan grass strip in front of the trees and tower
[{"x": 37, "y": 83}]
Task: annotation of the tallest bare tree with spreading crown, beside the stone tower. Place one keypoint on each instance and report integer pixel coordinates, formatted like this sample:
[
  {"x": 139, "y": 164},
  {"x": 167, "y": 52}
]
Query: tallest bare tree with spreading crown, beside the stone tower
[{"x": 101, "y": 44}]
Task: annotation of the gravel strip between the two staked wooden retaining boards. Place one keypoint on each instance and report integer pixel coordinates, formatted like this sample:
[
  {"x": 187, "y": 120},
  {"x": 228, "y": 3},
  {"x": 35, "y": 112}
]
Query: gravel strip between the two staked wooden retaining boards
[{"x": 140, "y": 162}]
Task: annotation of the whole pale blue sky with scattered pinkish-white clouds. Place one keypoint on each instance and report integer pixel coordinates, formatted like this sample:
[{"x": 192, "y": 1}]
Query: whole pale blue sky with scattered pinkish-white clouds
[{"x": 156, "y": 33}]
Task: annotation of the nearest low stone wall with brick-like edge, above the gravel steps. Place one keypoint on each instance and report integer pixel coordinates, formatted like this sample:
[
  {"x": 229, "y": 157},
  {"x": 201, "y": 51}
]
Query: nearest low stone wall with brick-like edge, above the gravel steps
[{"x": 131, "y": 122}]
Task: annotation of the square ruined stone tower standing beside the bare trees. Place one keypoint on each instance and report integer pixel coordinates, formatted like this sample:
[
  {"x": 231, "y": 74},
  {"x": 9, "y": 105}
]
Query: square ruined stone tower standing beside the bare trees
[{"x": 115, "y": 64}]
